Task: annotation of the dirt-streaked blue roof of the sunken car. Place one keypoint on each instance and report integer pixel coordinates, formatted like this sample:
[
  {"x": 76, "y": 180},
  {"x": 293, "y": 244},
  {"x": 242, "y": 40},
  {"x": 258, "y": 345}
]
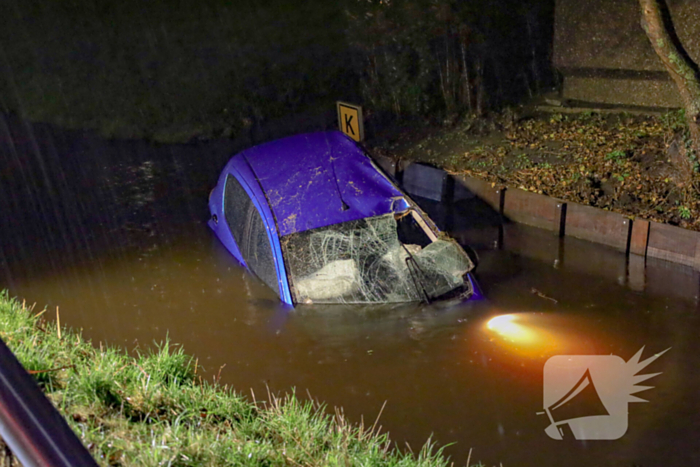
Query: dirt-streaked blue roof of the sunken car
[{"x": 319, "y": 179}]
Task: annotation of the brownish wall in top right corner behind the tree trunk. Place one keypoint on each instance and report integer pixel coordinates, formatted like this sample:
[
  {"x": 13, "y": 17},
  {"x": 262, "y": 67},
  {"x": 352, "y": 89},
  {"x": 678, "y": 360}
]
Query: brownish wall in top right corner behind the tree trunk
[{"x": 605, "y": 57}]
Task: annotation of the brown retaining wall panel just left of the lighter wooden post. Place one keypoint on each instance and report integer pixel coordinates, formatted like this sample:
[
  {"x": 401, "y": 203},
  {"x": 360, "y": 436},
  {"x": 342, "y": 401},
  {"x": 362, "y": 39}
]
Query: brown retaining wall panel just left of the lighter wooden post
[{"x": 597, "y": 225}]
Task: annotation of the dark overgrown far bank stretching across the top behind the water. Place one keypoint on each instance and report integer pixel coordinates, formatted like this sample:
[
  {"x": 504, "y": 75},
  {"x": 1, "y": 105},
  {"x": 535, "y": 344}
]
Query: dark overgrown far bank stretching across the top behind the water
[{"x": 173, "y": 71}]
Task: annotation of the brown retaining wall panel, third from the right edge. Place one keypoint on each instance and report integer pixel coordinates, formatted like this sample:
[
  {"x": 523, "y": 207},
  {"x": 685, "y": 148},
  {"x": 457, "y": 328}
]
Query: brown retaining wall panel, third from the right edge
[{"x": 533, "y": 209}]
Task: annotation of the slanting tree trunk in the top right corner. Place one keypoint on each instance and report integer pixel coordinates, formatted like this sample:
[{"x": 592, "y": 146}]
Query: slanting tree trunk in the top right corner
[{"x": 681, "y": 69}]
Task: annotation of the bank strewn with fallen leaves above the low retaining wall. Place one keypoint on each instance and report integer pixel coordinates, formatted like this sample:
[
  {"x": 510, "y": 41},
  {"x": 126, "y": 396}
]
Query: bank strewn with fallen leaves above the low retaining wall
[{"x": 631, "y": 164}]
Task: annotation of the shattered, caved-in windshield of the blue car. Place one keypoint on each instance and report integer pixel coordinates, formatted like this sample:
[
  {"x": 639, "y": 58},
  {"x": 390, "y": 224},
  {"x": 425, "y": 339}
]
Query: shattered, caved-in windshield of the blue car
[{"x": 373, "y": 260}]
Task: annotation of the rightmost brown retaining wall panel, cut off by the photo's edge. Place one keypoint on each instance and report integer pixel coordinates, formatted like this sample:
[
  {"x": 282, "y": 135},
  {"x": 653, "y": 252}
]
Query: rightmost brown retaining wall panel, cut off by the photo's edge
[{"x": 674, "y": 244}]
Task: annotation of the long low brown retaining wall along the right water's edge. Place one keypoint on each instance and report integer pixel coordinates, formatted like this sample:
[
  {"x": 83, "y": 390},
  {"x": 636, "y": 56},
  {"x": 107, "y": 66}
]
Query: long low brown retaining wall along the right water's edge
[{"x": 637, "y": 238}]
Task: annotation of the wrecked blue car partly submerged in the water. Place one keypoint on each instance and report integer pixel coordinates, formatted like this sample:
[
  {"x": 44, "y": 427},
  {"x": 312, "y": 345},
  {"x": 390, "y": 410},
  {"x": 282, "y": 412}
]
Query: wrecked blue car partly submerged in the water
[{"x": 316, "y": 220}]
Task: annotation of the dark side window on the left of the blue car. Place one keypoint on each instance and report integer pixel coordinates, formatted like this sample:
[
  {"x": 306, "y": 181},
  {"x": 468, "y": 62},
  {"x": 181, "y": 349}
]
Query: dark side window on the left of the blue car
[{"x": 249, "y": 231}]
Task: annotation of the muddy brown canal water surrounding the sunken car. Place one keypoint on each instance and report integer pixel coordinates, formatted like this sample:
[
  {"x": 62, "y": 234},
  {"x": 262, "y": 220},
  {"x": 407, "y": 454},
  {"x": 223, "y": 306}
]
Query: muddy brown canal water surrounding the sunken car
[{"x": 113, "y": 234}]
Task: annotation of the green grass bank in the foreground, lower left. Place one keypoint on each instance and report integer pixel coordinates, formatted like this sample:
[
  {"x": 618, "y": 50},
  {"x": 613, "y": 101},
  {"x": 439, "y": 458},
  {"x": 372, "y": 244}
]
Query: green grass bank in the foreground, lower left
[{"x": 154, "y": 409}]
